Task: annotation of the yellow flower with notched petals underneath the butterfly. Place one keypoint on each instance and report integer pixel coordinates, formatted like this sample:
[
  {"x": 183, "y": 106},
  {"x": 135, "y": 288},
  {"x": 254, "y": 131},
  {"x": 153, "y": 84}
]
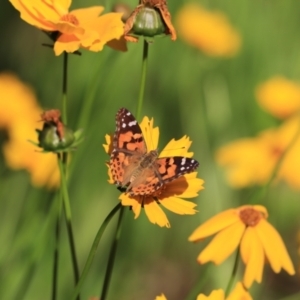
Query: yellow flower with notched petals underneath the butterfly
[{"x": 170, "y": 195}]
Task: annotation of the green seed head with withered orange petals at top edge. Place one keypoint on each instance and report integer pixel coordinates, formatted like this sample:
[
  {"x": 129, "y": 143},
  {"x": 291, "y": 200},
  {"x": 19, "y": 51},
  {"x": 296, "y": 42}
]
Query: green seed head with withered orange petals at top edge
[{"x": 150, "y": 18}]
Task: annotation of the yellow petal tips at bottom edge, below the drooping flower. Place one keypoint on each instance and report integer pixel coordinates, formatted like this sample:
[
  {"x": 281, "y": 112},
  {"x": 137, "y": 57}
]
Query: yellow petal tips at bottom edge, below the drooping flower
[{"x": 238, "y": 293}]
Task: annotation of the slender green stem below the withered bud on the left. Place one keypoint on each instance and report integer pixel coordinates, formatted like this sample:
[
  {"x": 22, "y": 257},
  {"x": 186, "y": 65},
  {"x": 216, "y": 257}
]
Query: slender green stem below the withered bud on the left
[{"x": 67, "y": 210}]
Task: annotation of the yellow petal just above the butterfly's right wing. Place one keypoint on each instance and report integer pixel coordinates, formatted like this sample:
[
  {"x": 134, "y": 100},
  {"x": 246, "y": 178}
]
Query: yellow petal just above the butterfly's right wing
[{"x": 177, "y": 148}]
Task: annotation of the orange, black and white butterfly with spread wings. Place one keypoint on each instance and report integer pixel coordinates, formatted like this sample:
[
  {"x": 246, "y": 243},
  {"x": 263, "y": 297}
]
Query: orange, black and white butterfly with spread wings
[{"x": 135, "y": 169}]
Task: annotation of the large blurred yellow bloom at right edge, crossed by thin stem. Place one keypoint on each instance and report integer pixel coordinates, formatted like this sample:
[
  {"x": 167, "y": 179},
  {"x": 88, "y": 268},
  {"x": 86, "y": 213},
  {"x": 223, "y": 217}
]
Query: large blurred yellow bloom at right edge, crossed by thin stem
[{"x": 251, "y": 161}]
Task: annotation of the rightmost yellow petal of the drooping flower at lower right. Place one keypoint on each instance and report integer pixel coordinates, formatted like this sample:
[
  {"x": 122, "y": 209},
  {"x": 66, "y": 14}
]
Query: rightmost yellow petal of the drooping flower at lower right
[{"x": 274, "y": 247}]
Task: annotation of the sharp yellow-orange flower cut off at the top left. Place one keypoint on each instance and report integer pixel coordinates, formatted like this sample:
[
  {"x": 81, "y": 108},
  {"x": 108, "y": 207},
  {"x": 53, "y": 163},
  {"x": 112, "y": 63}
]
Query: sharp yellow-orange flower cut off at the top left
[{"x": 78, "y": 28}]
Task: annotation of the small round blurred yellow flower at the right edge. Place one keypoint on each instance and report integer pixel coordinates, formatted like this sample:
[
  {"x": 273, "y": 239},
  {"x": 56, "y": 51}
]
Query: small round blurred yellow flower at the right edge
[{"x": 279, "y": 96}]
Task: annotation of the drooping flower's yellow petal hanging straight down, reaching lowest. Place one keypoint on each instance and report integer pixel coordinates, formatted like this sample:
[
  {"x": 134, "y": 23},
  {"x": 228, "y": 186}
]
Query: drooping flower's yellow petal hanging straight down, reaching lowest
[{"x": 253, "y": 256}]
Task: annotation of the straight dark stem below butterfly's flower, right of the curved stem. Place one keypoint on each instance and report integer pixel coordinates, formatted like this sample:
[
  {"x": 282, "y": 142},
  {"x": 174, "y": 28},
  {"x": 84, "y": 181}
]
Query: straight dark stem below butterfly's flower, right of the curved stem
[{"x": 112, "y": 255}]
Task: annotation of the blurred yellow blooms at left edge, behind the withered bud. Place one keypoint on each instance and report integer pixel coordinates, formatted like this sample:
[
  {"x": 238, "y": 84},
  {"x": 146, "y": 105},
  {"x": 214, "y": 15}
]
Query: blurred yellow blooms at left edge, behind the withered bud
[{"x": 19, "y": 115}]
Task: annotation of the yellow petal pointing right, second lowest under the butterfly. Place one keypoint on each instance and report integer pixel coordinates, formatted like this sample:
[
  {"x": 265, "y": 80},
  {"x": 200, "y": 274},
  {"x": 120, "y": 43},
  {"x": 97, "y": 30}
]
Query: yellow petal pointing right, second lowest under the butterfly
[{"x": 179, "y": 206}]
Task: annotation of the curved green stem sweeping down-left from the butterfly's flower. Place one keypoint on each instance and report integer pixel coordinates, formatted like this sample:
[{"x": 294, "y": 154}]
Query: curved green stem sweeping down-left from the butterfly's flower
[{"x": 93, "y": 250}]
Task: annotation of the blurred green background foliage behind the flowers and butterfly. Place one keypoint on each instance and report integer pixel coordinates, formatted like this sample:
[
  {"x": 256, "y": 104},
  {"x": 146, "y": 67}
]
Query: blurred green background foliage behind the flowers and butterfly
[{"x": 187, "y": 92}]
